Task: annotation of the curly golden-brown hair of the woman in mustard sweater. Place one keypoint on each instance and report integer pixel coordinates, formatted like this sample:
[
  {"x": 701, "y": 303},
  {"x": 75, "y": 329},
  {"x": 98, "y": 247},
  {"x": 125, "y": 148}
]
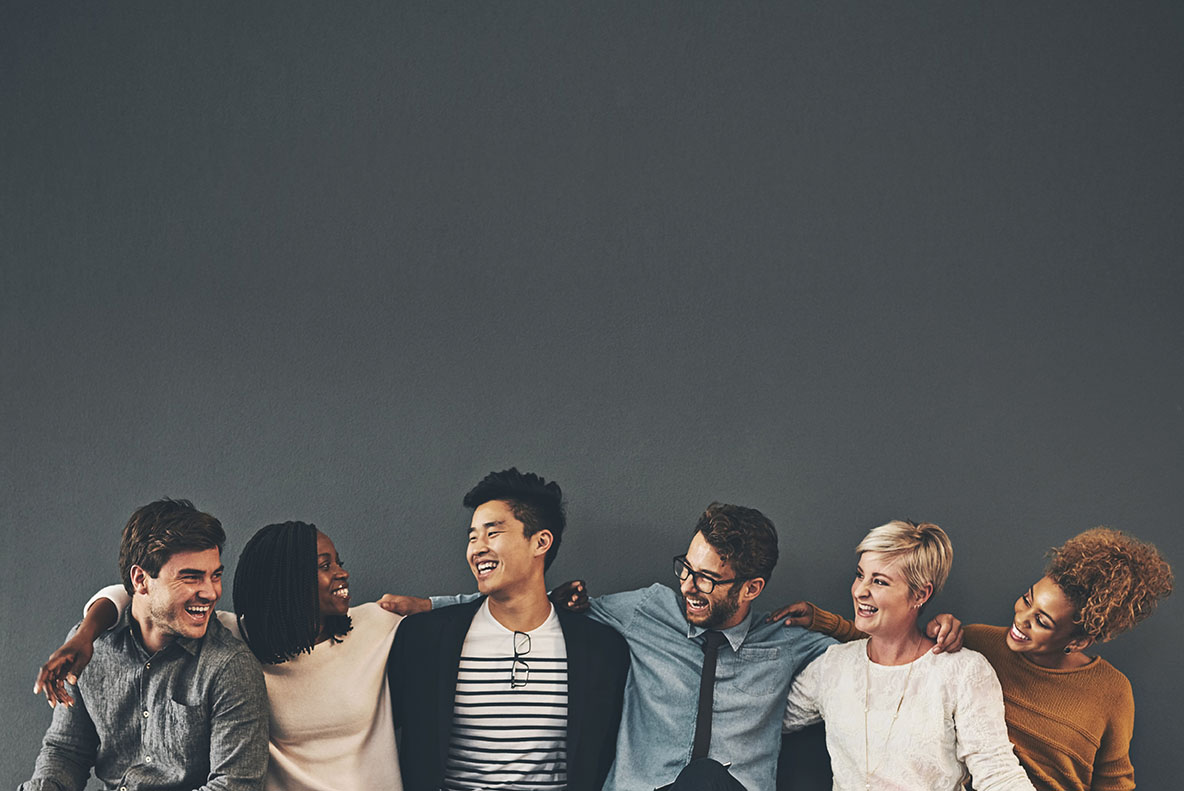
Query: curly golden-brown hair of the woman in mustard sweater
[{"x": 1114, "y": 580}]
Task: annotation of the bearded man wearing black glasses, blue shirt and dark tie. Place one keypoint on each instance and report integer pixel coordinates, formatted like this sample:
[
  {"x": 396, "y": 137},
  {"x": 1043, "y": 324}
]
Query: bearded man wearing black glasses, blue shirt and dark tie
[{"x": 709, "y": 678}]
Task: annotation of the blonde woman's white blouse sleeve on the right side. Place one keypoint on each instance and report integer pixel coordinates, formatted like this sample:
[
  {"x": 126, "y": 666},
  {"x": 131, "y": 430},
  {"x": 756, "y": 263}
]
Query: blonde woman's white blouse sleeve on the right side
[{"x": 980, "y": 730}]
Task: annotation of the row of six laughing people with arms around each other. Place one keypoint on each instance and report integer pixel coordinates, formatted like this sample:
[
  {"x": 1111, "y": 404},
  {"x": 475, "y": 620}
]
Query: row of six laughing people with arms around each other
[{"x": 683, "y": 689}]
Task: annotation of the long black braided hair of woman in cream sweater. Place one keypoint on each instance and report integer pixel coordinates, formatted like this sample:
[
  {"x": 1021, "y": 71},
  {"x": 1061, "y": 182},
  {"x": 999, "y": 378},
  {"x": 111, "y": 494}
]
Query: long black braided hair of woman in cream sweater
[{"x": 276, "y": 594}]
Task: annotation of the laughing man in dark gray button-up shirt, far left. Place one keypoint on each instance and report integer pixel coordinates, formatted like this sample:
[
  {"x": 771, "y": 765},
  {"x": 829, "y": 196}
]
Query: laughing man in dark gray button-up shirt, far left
[{"x": 171, "y": 700}]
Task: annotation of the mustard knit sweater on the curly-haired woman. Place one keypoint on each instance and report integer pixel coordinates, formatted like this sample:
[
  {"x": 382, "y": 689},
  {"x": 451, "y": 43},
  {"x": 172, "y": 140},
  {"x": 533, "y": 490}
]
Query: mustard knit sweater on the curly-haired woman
[{"x": 1071, "y": 729}]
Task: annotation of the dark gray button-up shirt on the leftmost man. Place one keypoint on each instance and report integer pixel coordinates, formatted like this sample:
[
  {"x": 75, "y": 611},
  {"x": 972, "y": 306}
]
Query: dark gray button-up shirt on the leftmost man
[{"x": 192, "y": 716}]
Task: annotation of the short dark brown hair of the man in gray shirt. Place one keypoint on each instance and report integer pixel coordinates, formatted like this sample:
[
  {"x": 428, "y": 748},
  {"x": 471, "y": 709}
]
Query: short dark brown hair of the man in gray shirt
[{"x": 163, "y": 529}]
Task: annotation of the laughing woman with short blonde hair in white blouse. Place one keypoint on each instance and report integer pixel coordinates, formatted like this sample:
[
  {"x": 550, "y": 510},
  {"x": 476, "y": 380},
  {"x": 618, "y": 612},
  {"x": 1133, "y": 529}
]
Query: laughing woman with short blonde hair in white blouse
[{"x": 899, "y": 717}]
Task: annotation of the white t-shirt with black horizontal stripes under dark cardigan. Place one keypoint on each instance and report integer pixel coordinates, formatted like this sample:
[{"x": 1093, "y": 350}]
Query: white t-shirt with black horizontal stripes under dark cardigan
[{"x": 510, "y": 734}]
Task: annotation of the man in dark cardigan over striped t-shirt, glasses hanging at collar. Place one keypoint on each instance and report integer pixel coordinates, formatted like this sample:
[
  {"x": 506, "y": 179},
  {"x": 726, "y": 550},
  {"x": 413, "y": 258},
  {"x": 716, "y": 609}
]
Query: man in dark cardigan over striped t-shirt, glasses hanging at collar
[{"x": 506, "y": 691}]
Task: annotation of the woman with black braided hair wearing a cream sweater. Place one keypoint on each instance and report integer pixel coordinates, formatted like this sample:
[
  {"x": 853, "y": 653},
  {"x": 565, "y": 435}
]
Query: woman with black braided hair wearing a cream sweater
[{"x": 324, "y": 663}]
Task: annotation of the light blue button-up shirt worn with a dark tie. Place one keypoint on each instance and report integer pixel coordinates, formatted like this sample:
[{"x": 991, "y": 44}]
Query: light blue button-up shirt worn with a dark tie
[{"x": 752, "y": 681}]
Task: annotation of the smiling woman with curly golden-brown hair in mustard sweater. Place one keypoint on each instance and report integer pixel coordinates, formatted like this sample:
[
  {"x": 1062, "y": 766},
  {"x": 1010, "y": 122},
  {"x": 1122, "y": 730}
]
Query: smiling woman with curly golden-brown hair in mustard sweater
[{"x": 1070, "y": 716}]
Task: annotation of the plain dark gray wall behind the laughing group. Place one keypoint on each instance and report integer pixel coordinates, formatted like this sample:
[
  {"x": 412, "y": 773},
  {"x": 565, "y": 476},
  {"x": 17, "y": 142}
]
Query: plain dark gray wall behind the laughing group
[{"x": 841, "y": 262}]
